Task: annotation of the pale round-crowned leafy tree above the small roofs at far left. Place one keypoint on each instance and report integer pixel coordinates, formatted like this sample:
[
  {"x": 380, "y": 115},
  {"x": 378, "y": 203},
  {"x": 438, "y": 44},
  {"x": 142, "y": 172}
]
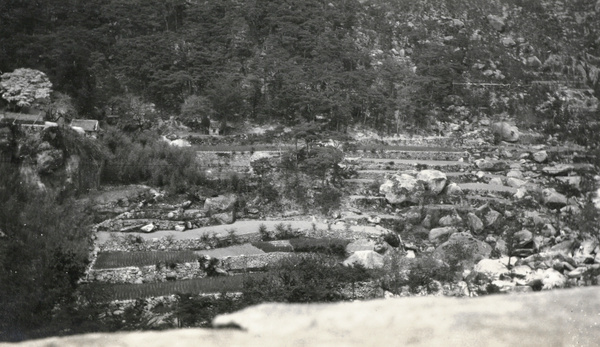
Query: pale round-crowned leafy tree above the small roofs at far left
[{"x": 23, "y": 87}]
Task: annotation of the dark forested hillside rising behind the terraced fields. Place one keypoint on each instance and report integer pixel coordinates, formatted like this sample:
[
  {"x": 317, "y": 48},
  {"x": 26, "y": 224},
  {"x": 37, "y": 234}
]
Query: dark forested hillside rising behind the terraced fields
[{"x": 382, "y": 63}]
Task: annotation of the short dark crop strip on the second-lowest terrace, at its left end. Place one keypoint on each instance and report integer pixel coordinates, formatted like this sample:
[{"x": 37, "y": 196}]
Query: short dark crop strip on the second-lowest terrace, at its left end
[{"x": 110, "y": 260}]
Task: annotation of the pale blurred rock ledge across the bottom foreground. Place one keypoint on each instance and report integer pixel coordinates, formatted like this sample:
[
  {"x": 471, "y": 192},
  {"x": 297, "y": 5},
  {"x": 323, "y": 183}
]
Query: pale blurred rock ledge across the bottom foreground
[{"x": 556, "y": 318}]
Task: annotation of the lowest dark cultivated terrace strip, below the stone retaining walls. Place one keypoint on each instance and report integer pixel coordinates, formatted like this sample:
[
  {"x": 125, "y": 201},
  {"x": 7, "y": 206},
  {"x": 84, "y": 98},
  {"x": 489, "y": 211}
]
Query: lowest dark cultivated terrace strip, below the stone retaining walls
[{"x": 207, "y": 285}]
